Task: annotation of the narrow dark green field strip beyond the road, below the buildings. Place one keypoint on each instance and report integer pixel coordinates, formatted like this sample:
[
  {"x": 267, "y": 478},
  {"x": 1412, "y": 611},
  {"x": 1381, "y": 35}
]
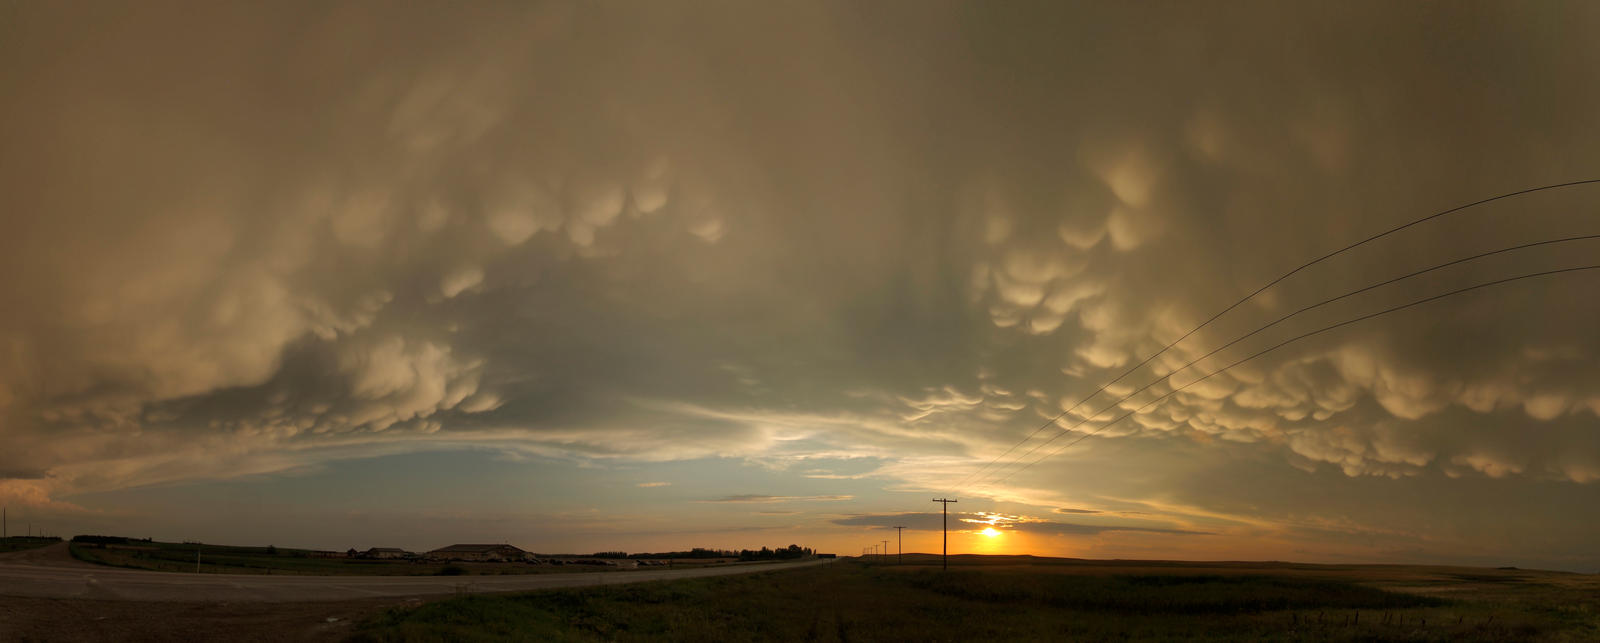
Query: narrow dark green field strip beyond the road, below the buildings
[{"x": 273, "y": 561}]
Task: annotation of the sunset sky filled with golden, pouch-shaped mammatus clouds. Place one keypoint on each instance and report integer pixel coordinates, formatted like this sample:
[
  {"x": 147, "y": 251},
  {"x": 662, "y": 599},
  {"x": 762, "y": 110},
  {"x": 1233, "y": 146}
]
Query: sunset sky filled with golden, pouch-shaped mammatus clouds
[{"x": 634, "y": 276}]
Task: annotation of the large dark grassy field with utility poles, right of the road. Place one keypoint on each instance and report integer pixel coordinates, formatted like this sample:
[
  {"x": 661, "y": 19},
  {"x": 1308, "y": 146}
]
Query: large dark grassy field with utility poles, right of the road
[{"x": 1034, "y": 599}]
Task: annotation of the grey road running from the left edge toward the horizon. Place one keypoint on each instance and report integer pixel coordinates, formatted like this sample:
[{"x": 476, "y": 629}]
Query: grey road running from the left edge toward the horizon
[{"x": 52, "y": 573}]
